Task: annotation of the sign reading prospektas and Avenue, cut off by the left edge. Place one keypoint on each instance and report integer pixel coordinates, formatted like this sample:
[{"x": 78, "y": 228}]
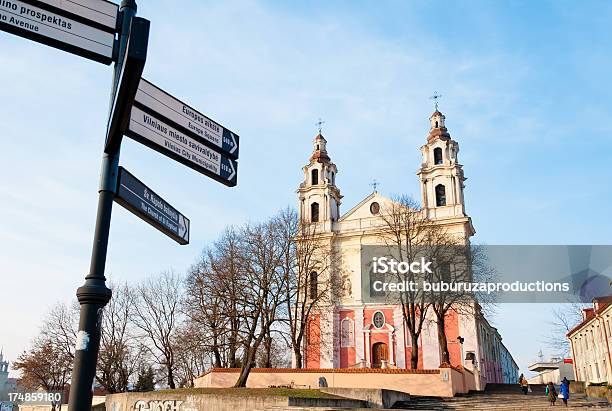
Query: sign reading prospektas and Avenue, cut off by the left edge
[{"x": 53, "y": 23}]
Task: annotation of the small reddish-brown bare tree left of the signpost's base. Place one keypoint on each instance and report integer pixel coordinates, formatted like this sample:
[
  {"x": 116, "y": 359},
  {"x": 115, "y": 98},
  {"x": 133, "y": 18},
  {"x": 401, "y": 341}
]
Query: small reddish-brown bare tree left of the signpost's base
[{"x": 46, "y": 365}]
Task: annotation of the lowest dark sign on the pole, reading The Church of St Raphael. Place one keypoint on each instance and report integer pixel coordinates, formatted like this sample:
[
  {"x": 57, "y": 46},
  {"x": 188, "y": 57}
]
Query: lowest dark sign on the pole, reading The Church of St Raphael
[{"x": 142, "y": 201}]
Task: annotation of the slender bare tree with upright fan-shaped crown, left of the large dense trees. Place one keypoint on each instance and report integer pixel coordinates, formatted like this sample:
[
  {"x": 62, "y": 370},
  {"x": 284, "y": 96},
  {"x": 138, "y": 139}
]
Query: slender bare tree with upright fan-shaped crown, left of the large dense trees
[{"x": 156, "y": 314}]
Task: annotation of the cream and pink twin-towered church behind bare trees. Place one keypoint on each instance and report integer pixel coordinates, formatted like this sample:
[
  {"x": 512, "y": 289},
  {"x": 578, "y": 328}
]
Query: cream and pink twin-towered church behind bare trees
[{"x": 352, "y": 333}]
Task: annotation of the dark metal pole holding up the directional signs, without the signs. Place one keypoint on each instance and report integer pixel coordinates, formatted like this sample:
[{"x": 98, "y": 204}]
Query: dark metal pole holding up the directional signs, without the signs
[{"x": 94, "y": 294}]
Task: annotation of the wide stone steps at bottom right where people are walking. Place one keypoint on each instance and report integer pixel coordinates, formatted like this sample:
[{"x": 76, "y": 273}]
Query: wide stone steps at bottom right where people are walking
[{"x": 502, "y": 397}]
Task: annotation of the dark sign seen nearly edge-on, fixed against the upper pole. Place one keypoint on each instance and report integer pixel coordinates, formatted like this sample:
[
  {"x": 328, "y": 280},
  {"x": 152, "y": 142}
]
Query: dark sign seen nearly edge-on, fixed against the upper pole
[{"x": 131, "y": 70}]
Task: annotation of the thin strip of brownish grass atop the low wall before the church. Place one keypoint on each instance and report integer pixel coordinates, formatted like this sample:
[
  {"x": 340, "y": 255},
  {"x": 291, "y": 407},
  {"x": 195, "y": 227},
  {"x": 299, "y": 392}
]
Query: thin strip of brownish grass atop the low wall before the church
[{"x": 247, "y": 392}]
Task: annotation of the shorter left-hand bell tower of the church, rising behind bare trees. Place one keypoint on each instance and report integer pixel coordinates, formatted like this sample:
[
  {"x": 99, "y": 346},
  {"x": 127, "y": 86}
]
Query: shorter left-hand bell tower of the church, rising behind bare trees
[{"x": 319, "y": 198}]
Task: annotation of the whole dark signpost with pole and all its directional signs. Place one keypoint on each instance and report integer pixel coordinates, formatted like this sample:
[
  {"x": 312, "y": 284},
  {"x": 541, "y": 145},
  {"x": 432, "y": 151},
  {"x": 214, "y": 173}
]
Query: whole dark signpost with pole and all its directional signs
[{"x": 139, "y": 110}]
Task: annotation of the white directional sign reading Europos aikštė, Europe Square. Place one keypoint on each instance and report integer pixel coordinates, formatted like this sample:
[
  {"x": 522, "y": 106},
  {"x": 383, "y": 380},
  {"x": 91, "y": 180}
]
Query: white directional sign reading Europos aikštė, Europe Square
[{"x": 190, "y": 121}]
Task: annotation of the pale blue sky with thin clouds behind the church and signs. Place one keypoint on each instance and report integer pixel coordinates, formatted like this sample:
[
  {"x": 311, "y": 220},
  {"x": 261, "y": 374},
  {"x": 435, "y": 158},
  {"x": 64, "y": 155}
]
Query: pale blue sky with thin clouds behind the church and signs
[{"x": 525, "y": 90}]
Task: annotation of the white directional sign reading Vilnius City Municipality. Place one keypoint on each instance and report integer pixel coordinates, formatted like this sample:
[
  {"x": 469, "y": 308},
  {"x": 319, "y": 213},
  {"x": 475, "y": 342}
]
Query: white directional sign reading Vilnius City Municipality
[{"x": 154, "y": 132}]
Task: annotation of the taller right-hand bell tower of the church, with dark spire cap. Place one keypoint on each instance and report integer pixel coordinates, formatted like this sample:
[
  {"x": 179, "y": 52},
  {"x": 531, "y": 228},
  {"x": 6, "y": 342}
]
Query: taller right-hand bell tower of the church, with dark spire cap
[{"x": 440, "y": 174}]
